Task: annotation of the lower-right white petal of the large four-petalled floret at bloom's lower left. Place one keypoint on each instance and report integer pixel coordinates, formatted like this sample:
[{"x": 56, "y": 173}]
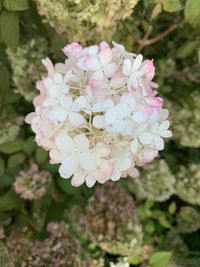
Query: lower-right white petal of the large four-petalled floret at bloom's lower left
[{"x": 87, "y": 161}]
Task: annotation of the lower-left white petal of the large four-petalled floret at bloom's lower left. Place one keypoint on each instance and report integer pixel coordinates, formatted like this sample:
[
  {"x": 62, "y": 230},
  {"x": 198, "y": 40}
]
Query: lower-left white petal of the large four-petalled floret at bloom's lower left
[{"x": 68, "y": 166}]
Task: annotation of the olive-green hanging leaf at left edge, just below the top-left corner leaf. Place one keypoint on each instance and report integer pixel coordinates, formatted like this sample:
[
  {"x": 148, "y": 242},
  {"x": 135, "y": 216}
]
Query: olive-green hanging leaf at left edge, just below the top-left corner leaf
[{"x": 10, "y": 28}]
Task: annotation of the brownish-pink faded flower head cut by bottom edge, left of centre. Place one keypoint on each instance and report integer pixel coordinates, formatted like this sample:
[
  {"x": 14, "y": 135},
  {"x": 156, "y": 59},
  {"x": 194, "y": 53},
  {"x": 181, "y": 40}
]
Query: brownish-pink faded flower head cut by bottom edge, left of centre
[{"x": 59, "y": 249}]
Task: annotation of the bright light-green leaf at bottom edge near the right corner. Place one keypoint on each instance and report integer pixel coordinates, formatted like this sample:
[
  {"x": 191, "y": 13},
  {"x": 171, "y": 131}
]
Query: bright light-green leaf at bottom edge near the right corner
[{"x": 160, "y": 259}]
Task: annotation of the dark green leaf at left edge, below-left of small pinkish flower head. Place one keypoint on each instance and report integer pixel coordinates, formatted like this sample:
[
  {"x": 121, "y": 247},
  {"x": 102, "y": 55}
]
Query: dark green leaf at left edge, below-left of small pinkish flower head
[{"x": 9, "y": 201}]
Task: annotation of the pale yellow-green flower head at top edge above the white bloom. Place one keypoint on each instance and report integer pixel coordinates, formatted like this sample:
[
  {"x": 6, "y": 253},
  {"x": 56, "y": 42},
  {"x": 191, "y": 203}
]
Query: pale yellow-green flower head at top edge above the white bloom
[{"x": 94, "y": 19}]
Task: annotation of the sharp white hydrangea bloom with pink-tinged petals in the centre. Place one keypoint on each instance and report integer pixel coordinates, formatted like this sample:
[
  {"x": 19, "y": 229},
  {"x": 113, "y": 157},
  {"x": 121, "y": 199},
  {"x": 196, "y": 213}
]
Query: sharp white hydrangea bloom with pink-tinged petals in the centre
[{"x": 98, "y": 114}]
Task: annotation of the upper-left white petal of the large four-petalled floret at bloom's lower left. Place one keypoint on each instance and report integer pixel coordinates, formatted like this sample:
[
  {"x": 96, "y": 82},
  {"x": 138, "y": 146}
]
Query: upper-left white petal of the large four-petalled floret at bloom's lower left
[{"x": 64, "y": 143}]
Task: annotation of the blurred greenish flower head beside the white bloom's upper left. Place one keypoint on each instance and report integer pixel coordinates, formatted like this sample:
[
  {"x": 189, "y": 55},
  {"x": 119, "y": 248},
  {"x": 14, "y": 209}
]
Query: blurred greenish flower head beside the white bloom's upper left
[{"x": 26, "y": 65}]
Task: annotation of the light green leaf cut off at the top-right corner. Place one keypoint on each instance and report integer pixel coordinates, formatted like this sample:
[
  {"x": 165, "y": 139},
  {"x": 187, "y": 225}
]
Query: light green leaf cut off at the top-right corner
[{"x": 192, "y": 12}]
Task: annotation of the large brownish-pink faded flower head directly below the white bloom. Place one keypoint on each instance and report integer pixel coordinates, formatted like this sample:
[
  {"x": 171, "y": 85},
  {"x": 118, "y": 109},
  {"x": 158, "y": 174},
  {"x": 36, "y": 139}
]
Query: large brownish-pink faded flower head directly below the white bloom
[{"x": 110, "y": 220}]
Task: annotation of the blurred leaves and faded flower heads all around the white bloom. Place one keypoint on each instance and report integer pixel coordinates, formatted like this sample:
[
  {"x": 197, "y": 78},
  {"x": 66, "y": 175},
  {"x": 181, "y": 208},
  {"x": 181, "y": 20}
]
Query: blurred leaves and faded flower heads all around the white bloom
[{"x": 152, "y": 221}]
